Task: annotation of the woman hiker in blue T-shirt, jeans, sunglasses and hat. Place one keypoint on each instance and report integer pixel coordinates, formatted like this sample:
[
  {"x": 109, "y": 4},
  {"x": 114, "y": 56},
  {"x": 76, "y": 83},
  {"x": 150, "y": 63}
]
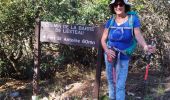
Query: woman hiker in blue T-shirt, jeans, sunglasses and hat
[{"x": 117, "y": 37}]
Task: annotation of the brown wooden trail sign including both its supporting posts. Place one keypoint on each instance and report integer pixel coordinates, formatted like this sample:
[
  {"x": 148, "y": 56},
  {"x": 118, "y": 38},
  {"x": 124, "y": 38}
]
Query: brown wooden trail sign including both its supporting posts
[{"x": 80, "y": 35}]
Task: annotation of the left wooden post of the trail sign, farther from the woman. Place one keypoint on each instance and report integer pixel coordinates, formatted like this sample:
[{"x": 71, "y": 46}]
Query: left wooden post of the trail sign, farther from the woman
[{"x": 36, "y": 58}]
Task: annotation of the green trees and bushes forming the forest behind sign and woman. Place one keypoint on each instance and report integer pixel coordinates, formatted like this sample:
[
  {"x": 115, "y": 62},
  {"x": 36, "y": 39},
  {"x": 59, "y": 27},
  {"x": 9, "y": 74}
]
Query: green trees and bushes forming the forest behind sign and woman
[{"x": 17, "y": 38}]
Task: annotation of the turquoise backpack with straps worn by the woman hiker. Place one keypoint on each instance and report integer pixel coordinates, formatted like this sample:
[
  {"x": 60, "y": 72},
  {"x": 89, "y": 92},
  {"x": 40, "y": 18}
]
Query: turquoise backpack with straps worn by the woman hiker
[{"x": 130, "y": 50}]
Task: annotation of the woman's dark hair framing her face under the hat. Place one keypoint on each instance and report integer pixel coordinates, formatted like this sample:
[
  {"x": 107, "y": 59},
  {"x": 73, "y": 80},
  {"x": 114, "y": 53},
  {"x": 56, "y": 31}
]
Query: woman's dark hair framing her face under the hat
[{"x": 127, "y": 7}]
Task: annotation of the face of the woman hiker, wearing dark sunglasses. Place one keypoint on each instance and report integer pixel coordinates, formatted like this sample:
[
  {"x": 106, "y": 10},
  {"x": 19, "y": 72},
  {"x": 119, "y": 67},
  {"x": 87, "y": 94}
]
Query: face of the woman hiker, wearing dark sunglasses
[{"x": 119, "y": 8}]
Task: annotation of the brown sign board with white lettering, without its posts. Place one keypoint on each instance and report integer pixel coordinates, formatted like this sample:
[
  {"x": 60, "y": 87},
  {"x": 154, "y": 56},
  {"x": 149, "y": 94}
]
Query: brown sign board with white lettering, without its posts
[{"x": 81, "y": 35}]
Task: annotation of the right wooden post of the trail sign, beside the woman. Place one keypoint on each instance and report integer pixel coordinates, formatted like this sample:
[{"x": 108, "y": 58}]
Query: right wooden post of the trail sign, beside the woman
[{"x": 99, "y": 66}]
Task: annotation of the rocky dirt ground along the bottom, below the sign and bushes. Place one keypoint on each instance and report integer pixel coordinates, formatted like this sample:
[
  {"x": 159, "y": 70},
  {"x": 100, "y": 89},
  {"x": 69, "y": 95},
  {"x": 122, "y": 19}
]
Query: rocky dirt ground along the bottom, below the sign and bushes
[{"x": 156, "y": 89}]
